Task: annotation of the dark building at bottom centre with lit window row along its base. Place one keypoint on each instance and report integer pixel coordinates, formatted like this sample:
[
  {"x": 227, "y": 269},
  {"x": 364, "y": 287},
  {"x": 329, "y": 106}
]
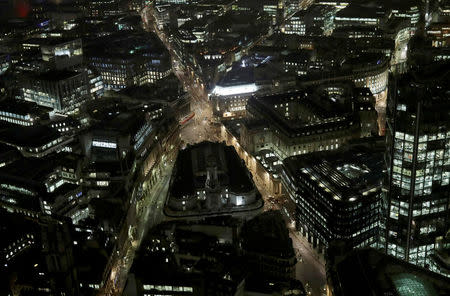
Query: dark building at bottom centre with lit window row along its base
[{"x": 192, "y": 258}]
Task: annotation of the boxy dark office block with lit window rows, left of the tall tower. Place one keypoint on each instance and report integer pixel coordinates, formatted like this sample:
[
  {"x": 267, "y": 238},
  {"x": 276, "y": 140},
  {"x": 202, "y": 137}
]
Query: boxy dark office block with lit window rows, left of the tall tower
[{"x": 338, "y": 194}]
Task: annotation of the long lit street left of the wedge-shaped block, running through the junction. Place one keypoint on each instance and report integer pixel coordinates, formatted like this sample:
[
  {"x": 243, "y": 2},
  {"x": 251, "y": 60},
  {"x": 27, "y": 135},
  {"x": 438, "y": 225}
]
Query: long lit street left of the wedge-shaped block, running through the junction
[{"x": 149, "y": 210}]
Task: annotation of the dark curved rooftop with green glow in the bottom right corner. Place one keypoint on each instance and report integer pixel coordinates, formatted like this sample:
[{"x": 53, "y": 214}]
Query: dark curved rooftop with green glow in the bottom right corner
[{"x": 370, "y": 272}]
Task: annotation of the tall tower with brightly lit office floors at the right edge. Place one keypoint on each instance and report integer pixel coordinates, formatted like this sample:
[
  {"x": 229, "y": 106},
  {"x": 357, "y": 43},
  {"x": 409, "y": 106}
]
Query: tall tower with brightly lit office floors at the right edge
[{"x": 418, "y": 163}]
